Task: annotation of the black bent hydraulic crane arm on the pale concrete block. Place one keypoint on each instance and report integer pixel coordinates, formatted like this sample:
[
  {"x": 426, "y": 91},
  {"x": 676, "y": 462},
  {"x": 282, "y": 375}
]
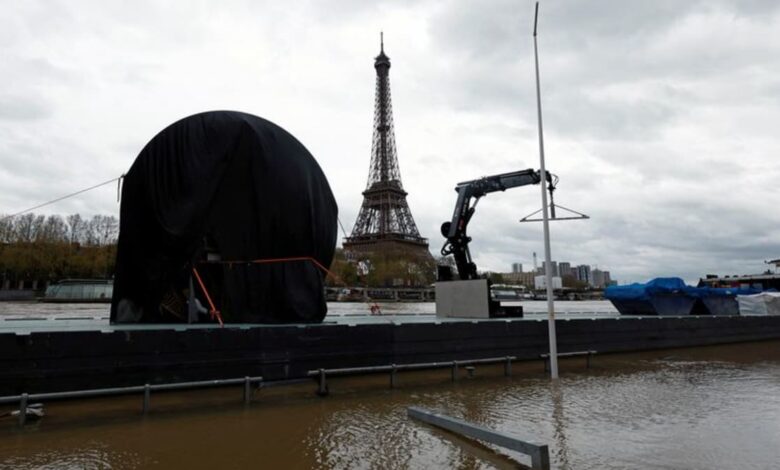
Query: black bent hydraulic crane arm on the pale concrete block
[{"x": 454, "y": 231}]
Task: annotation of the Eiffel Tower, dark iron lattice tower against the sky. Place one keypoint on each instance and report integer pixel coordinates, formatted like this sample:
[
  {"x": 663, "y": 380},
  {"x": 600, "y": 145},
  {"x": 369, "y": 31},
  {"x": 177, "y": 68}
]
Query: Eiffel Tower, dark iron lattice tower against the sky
[{"x": 384, "y": 220}]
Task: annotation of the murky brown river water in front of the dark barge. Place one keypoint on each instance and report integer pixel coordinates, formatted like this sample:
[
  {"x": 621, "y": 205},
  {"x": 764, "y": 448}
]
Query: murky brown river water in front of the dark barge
[{"x": 698, "y": 408}]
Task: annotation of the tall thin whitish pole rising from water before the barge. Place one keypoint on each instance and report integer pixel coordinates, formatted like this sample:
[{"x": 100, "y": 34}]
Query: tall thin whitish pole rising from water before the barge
[{"x": 545, "y": 221}]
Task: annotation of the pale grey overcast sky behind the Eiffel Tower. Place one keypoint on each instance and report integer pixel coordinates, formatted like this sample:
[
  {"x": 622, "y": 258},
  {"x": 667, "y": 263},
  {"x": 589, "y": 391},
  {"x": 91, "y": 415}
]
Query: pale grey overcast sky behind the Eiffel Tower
[{"x": 661, "y": 118}]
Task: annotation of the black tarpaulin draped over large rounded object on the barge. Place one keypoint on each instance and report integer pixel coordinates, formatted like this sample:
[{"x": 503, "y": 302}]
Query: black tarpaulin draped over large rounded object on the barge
[{"x": 223, "y": 186}]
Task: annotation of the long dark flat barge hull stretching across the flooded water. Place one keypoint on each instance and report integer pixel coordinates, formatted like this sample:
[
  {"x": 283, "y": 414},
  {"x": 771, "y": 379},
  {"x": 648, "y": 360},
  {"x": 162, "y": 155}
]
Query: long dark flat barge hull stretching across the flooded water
[{"x": 73, "y": 353}]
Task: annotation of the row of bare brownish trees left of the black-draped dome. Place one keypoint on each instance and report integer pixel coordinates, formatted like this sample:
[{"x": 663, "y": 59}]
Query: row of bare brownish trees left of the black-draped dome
[{"x": 39, "y": 247}]
